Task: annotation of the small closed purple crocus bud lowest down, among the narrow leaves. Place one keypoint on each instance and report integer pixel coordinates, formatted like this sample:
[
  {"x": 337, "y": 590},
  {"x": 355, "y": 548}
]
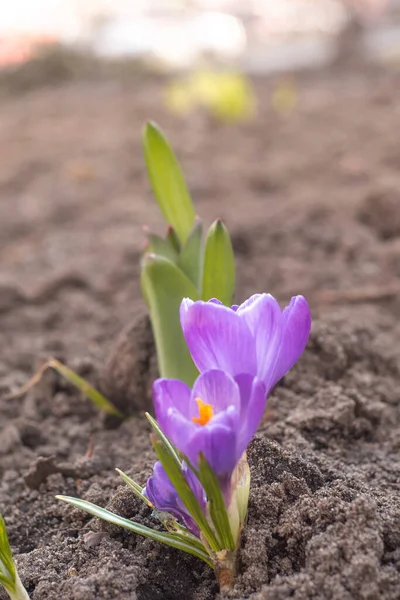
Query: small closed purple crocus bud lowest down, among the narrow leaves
[{"x": 160, "y": 491}]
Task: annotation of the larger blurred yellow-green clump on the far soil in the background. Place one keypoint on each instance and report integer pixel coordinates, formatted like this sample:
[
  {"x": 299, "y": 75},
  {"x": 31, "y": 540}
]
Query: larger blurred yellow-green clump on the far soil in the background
[{"x": 227, "y": 96}]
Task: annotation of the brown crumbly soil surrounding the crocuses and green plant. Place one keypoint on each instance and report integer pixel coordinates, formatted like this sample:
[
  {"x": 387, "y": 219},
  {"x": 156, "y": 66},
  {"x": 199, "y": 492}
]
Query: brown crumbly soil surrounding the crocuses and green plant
[{"x": 313, "y": 202}]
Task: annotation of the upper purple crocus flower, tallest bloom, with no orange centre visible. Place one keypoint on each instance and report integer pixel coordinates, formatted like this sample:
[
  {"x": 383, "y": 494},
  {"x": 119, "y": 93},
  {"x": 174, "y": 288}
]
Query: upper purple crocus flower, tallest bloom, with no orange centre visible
[{"x": 256, "y": 337}]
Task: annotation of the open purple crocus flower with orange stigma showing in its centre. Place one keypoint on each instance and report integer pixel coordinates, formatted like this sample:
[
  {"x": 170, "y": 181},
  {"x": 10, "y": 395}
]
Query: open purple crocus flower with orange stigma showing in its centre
[{"x": 218, "y": 417}]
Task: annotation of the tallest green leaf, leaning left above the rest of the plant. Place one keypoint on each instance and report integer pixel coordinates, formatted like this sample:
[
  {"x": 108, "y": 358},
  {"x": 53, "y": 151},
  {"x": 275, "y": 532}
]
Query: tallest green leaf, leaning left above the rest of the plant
[{"x": 167, "y": 181}]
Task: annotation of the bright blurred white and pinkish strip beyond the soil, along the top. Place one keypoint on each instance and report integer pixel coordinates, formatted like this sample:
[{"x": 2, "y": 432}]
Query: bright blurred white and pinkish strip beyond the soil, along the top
[{"x": 257, "y": 35}]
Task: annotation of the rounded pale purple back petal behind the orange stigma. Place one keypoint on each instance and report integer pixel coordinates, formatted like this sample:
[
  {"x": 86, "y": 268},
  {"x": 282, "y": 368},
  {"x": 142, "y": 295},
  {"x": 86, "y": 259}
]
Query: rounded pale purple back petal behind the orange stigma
[{"x": 216, "y": 388}]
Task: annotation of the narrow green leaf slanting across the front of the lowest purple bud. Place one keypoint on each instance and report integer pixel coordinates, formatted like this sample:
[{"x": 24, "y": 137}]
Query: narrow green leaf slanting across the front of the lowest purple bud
[{"x": 184, "y": 491}]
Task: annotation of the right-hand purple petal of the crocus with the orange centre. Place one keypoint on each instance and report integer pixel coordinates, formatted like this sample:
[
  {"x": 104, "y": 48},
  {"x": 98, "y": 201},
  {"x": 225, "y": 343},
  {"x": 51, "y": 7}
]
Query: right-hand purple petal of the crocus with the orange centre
[{"x": 254, "y": 397}]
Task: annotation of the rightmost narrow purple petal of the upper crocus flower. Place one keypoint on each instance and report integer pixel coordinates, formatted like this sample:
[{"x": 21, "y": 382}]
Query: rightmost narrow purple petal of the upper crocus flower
[{"x": 296, "y": 325}]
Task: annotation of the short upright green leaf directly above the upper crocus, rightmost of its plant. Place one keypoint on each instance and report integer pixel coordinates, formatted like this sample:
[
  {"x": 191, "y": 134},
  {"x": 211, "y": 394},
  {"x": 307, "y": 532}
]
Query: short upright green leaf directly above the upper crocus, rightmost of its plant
[{"x": 219, "y": 265}]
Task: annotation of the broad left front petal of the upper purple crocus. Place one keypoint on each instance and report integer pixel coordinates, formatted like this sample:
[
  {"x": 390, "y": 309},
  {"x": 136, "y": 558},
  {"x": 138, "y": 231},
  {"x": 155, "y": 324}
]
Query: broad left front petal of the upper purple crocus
[{"x": 217, "y": 338}]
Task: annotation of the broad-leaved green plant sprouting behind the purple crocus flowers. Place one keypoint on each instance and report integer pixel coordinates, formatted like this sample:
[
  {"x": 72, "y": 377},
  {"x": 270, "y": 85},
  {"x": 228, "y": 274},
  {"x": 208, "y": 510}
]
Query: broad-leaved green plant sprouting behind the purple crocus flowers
[{"x": 180, "y": 264}]
